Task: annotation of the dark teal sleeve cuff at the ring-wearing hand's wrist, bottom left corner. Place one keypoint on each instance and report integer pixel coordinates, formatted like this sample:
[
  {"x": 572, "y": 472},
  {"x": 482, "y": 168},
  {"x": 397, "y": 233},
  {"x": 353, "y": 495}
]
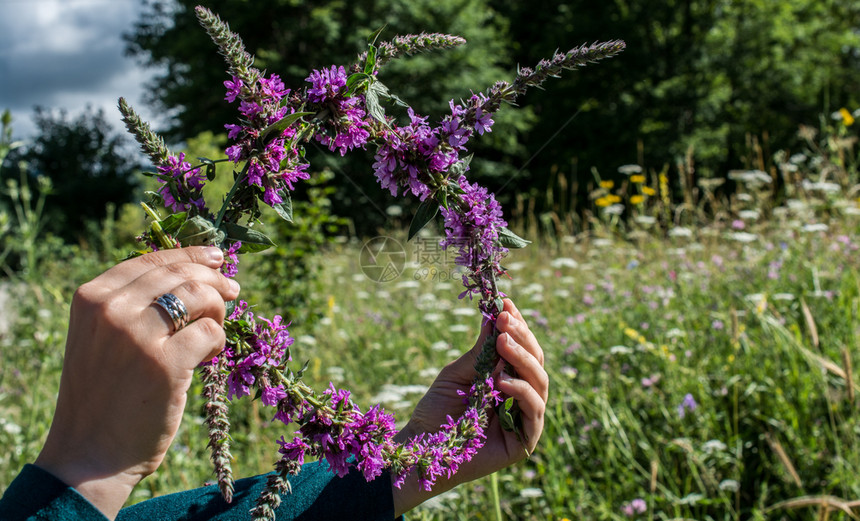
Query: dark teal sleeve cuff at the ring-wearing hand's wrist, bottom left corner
[{"x": 36, "y": 495}]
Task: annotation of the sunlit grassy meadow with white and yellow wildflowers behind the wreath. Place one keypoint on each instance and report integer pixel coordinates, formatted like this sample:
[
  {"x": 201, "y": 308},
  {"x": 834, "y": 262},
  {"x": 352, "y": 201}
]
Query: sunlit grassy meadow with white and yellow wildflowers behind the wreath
[{"x": 700, "y": 348}]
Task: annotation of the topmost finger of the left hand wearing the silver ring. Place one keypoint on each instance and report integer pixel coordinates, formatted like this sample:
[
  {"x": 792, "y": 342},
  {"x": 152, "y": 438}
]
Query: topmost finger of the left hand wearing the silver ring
[{"x": 122, "y": 273}]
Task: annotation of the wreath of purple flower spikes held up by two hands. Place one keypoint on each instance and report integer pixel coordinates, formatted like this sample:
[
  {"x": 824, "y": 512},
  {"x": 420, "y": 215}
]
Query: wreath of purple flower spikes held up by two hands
[{"x": 341, "y": 109}]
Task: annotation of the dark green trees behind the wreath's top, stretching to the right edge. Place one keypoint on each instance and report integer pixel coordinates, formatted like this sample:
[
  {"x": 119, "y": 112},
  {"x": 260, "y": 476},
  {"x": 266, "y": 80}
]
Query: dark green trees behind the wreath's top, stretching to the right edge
[{"x": 700, "y": 75}]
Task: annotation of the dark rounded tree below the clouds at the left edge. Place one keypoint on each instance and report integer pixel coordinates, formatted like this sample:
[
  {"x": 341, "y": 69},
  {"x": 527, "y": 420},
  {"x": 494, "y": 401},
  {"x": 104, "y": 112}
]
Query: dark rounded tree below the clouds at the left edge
[{"x": 86, "y": 163}]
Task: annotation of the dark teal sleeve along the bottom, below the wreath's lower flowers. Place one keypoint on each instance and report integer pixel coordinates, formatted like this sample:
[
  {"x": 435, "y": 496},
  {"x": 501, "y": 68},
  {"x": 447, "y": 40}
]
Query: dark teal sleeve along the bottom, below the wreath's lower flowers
[{"x": 317, "y": 493}]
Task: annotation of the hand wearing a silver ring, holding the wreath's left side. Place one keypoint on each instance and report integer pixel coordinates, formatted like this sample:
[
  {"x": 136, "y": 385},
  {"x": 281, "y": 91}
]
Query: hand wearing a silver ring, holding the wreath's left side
[{"x": 126, "y": 371}]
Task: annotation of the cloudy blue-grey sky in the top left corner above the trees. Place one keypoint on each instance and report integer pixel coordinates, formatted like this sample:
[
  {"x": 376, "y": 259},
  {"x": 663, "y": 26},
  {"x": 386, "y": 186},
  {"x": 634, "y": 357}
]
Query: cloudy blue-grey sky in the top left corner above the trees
[{"x": 68, "y": 54}]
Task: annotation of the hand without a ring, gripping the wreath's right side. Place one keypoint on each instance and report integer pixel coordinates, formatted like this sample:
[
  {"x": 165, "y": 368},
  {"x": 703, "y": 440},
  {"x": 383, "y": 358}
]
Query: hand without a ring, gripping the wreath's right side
[{"x": 517, "y": 345}]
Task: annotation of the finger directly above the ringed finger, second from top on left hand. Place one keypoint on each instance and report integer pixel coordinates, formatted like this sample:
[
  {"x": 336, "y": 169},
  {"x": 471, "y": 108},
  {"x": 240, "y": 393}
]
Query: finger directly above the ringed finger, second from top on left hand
[{"x": 158, "y": 281}]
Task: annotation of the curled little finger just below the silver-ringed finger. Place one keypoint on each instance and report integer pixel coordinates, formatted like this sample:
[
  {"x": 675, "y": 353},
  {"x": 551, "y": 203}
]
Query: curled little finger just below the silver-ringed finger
[{"x": 196, "y": 343}]
